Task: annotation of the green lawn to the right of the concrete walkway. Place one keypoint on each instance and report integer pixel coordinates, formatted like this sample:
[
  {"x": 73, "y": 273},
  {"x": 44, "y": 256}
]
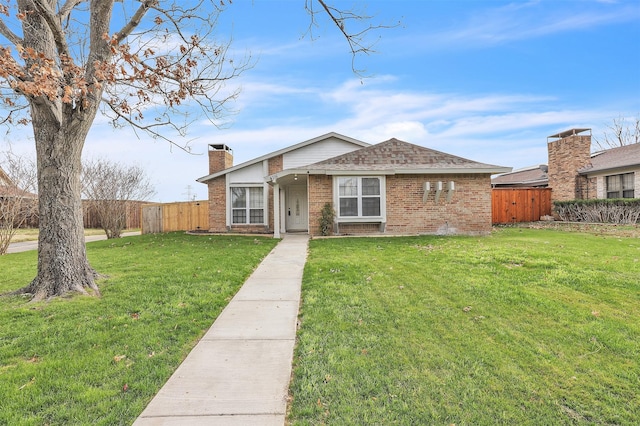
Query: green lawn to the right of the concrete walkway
[{"x": 532, "y": 327}]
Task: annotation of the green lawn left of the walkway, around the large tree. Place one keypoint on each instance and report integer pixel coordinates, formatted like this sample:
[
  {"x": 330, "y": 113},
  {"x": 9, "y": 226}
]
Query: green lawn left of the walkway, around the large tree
[{"x": 88, "y": 360}]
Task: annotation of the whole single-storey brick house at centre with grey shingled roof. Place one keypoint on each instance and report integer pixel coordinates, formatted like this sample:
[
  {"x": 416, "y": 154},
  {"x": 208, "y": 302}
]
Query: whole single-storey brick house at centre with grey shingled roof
[{"x": 393, "y": 187}]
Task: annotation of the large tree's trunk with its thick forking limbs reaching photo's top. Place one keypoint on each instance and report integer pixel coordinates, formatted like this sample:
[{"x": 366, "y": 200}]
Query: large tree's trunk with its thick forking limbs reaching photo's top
[{"x": 60, "y": 128}]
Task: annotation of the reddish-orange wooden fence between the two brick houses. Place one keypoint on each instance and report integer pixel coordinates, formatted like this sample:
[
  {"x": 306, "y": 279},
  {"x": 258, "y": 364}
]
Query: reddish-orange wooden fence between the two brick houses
[{"x": 510, "y": 205}]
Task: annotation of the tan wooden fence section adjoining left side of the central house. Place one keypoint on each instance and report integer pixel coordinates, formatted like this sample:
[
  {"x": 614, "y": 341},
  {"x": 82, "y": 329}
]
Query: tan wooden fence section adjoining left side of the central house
[{"x": 185, "y": 216}]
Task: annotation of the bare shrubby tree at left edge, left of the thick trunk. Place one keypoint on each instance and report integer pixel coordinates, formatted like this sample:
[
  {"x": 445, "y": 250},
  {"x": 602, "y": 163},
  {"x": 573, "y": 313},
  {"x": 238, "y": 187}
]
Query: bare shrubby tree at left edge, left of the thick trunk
[{"x": 18, "y": 202}]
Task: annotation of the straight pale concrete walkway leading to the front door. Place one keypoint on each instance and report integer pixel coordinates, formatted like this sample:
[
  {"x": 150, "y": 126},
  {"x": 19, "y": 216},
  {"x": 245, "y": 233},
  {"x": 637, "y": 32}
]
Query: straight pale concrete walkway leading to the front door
[{"x": 239, "y": 373}]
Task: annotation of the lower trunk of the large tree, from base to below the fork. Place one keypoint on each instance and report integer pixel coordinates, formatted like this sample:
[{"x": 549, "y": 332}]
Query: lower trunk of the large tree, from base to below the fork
[{"x": 62, "y": 260}]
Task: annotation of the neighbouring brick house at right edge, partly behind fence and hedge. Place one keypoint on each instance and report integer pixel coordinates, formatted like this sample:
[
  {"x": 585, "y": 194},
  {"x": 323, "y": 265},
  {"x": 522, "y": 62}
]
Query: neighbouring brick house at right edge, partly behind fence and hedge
[{"x": 576, "y": 173}]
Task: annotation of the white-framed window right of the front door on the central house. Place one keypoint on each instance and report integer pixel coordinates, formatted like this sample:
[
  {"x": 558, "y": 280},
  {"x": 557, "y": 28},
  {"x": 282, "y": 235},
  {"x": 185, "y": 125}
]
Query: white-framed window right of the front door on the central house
[{"x": 359, "y": 197}]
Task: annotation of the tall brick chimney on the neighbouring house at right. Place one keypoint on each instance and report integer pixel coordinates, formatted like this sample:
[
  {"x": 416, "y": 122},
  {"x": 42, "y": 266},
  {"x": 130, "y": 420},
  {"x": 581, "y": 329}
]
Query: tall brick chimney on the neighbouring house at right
[{"x": 568, "y": 153}]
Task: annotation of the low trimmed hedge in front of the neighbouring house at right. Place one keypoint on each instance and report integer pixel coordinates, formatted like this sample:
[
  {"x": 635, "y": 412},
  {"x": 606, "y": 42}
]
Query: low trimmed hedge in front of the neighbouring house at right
[{"x": 618, "y": 210}]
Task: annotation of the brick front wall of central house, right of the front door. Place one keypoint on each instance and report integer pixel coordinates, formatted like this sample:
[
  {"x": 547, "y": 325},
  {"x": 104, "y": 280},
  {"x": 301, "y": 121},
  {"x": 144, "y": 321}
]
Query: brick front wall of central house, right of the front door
[{"x": 468, "y": 212}]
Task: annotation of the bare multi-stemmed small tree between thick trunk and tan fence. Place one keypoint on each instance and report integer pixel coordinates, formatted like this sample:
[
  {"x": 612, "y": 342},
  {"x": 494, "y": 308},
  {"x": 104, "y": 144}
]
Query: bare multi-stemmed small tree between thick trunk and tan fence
[{"x": 110, "y": 188}]
